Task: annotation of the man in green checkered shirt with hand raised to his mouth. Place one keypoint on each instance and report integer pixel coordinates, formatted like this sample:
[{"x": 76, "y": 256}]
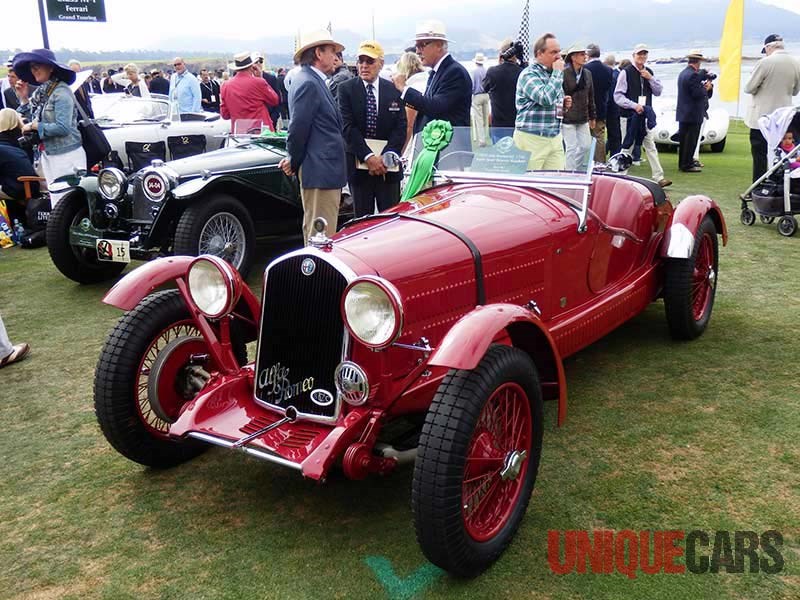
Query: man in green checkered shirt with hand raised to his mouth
[{"x": 540, "y": 106}]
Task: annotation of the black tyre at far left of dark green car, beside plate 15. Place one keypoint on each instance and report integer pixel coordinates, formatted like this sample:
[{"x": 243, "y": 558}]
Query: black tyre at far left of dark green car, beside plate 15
[{"x": 76, "y": 263}]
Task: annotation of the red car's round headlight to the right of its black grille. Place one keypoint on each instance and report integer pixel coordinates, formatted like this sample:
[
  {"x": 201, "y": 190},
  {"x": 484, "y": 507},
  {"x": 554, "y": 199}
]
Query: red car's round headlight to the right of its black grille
[{"x": 372, "y": 311}]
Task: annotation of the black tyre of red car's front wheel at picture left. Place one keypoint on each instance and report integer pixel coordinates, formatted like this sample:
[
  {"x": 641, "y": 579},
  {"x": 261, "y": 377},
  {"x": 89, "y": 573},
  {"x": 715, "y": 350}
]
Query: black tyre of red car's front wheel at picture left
[{"x": 121, "y": 399}]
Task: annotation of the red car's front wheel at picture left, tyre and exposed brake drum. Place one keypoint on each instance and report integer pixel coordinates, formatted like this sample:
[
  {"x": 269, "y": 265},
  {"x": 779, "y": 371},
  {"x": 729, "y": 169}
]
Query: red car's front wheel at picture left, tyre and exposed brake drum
[{"x": 148, "y": 369}]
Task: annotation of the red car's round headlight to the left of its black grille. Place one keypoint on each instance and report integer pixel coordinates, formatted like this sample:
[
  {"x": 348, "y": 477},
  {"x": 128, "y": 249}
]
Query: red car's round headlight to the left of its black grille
[{"x": 213, "y": 286}]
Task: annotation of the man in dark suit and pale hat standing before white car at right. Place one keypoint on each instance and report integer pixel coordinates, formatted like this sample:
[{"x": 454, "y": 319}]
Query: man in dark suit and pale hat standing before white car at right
[{"x": 693, "y": 94}]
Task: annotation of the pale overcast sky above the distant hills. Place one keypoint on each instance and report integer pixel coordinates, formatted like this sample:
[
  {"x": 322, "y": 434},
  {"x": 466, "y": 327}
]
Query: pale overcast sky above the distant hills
[{"x": 144, "y": 23}]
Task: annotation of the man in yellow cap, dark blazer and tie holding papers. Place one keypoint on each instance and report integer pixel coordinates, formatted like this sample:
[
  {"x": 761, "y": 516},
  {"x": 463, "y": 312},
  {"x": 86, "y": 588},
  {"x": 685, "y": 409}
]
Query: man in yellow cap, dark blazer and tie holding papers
[{"x": 374, "y": 132}]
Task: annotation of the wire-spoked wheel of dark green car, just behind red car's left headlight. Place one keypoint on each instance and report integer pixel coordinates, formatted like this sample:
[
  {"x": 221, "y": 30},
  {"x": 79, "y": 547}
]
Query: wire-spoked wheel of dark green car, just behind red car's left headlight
[{"x": 204, "y": 218}]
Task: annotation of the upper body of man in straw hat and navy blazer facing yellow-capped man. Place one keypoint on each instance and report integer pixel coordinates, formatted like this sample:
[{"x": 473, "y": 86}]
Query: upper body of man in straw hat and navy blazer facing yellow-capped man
[{"x": 448, "y": 95}]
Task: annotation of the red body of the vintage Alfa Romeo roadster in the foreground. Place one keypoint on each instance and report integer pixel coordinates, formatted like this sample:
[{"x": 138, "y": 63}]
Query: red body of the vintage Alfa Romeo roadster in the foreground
[{"x": 475, "y": 264}]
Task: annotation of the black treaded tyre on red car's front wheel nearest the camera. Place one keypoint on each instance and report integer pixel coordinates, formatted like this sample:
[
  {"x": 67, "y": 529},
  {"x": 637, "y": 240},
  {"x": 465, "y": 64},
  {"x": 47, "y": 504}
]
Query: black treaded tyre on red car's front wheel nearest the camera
[{"x": 448, "y": 437}]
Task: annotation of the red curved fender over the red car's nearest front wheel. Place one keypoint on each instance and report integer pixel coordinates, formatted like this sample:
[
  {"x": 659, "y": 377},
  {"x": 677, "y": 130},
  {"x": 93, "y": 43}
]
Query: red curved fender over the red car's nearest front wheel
[{"x": 467, "y": 342}]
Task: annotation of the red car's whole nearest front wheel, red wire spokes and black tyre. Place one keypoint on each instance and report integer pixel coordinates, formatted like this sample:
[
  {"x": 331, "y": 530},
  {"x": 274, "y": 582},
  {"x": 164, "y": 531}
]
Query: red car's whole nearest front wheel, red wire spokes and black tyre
[{"x": 477, "y": 462}]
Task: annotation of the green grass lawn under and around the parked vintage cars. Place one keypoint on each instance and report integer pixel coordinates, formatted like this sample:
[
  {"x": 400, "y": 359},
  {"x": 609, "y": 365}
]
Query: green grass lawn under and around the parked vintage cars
[{"x": 660, "y": 436}]
